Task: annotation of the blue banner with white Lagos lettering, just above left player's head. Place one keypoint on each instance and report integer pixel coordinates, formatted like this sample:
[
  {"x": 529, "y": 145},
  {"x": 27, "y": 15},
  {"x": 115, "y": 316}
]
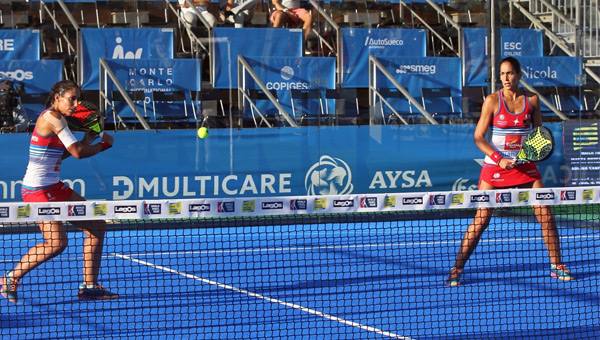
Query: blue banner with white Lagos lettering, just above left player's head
[{"x": 37, "y": 76}]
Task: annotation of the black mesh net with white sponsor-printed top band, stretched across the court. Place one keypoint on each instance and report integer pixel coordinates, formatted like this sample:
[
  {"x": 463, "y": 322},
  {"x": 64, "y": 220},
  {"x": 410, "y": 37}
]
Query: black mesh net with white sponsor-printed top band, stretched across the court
[{"x": 328, "y": 267}]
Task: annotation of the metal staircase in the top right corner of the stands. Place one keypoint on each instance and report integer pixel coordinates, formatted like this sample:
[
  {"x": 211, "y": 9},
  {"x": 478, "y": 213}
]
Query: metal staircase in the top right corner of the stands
[{"x": 571, "y": 26}]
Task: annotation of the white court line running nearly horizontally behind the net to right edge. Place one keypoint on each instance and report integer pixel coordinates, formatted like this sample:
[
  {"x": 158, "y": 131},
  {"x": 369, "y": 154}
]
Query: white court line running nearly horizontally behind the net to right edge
[{"x": 354, "y": 246}]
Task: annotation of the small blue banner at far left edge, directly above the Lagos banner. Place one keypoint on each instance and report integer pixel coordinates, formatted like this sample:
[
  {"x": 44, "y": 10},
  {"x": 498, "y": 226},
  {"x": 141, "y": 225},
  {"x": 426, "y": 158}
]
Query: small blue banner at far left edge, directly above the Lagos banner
[{"x": 19, "y": 44}]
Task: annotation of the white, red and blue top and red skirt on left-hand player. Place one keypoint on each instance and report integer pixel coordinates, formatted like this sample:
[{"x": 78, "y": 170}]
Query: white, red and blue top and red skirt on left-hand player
[{"x": 42, "y": 178}]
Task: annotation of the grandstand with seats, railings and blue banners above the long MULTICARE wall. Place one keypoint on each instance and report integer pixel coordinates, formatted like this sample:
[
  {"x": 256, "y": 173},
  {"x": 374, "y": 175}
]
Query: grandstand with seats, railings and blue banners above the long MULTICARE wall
[{"x": 362, "y": 78}]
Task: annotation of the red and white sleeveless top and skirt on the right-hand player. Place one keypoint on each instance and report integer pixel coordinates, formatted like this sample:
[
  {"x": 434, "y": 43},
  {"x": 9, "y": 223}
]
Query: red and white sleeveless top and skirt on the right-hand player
[{"x": 508, "y": 131}]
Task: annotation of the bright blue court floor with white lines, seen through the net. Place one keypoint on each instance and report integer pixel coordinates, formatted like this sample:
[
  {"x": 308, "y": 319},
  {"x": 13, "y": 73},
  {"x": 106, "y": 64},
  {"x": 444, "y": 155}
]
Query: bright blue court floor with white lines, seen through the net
[{"x": 329, "y": 281}]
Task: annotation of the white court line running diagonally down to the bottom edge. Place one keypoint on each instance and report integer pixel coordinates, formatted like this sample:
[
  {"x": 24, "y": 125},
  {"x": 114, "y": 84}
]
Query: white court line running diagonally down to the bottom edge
[{"x": 266, "y": 298}]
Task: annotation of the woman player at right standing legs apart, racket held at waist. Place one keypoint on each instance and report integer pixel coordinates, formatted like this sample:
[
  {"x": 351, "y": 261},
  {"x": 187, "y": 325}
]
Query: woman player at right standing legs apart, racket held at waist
[{"x": 510, "y": 113}]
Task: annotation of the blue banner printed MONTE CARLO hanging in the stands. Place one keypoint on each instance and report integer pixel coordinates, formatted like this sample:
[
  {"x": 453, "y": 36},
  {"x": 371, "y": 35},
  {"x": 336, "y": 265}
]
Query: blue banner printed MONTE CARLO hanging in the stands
[{"x": 150, "y": 75}]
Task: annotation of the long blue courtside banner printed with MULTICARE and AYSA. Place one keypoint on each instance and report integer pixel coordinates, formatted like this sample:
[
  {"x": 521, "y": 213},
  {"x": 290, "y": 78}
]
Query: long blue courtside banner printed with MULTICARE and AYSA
[{"x": 274, "y": 162}]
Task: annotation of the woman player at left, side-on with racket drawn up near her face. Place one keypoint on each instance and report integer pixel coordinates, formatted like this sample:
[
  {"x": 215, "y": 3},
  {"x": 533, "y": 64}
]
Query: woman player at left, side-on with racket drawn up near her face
[{"x": 51, "y": 142}]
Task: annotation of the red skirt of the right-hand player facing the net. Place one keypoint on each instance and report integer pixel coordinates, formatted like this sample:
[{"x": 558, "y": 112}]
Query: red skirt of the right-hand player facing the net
[{"x": 502, "y": 178}]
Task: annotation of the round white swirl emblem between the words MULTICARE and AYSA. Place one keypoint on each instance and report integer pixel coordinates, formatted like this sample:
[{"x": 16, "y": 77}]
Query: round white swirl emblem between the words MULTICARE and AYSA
[{"x": 330, "y": 176}]
